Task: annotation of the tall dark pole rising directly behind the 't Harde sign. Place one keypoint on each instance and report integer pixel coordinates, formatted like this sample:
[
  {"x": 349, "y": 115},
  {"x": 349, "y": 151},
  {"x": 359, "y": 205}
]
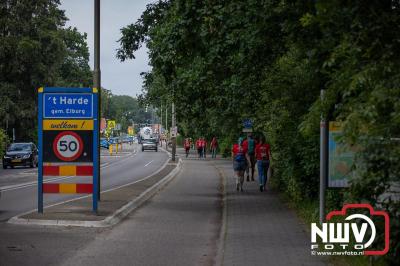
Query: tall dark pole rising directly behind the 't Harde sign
[{"x": 97, "y": 80}]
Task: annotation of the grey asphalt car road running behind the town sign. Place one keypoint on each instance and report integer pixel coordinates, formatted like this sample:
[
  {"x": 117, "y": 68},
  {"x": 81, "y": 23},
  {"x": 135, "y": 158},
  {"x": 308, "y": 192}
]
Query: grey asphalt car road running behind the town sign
[{"x": 19, "y": 185}]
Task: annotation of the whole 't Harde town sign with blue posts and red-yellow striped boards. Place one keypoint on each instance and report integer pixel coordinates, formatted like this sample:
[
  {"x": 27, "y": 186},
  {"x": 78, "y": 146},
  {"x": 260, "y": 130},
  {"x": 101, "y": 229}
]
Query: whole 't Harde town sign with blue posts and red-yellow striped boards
[{"x": 68, "y": 140}]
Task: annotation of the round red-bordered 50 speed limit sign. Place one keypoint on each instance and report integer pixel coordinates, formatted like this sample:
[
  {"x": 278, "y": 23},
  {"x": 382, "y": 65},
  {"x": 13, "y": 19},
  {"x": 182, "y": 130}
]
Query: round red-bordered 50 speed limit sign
[{"x": 68, "y": 146}]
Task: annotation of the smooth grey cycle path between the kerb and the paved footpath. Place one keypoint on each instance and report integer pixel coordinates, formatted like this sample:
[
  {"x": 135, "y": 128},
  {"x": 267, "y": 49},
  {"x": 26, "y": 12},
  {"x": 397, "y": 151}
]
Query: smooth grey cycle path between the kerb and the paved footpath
[{"x": 178, "y": 226}]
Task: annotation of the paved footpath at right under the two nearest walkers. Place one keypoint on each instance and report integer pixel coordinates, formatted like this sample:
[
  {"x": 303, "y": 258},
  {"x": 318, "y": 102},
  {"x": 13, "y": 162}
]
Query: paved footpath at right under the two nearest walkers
[{"x": 259, "y": 228}]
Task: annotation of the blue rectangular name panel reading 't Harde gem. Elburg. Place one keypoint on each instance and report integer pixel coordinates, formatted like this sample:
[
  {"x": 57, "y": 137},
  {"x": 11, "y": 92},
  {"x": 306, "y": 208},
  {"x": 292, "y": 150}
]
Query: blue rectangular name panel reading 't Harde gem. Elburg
[{"x": 67, "y": 105}]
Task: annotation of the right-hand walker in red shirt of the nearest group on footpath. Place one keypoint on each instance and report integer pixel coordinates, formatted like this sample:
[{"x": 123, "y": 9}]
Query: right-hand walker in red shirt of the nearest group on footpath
[{"x": 263, "y": 156}]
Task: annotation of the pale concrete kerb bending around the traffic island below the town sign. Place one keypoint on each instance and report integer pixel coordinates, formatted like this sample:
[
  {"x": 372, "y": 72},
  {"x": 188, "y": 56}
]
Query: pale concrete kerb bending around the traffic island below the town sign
[{"x": 113, "y": 219}]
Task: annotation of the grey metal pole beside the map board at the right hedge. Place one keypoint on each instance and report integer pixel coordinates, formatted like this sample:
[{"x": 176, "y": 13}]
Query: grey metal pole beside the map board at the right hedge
[{"x": 323, "y": 162}]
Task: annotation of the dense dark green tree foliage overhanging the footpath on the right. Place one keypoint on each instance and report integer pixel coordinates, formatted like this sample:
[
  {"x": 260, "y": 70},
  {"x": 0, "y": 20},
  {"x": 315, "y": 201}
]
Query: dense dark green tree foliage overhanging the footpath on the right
[{"x": 221, "y": 62}]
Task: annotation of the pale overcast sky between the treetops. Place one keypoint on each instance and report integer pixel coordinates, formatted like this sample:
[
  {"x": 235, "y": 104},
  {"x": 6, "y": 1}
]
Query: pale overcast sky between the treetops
[{"x": 122, "y": 78}]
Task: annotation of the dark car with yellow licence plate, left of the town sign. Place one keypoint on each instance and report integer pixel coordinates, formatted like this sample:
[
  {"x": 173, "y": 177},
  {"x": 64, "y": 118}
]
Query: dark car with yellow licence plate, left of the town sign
[{"x": 21, "y": 154}]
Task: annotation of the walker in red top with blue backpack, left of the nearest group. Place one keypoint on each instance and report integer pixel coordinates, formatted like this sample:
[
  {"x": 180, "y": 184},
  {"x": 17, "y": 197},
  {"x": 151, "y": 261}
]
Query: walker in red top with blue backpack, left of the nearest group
[{"x": 239, "y": 163}]
